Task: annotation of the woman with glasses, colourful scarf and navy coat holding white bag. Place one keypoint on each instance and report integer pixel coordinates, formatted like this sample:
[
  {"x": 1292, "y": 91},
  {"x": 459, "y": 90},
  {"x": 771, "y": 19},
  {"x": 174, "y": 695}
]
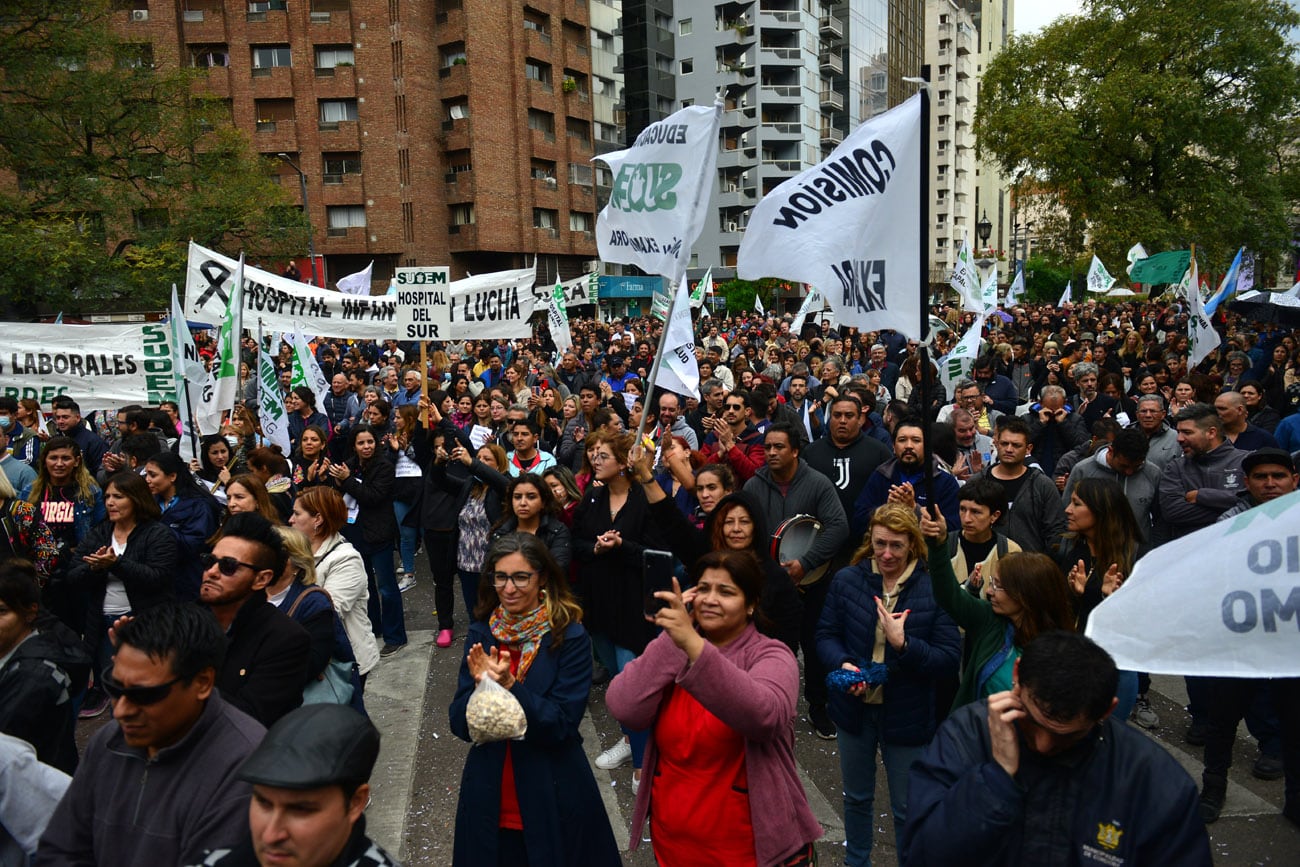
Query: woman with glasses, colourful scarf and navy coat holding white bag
[{"x": 531, "y": 801}]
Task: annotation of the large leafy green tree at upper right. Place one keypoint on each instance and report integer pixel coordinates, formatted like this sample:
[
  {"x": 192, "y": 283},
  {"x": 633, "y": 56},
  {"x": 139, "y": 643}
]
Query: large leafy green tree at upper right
[{"x": 1163, "y": 122}]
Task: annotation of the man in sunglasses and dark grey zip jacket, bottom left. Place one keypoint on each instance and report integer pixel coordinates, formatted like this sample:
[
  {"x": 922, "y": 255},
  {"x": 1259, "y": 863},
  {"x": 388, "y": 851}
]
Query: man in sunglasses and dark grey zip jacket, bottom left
[{"x": 158, "y": 786}]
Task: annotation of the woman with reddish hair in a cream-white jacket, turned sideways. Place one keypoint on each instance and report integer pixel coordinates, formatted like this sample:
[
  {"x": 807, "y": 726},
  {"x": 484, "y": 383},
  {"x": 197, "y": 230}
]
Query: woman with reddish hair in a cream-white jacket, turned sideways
[{"x": 320, "y": 514}]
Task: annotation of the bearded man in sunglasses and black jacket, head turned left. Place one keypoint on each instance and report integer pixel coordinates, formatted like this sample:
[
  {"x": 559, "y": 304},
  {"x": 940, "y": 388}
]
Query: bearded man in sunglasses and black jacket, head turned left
[{"x": 267, "y": 651}]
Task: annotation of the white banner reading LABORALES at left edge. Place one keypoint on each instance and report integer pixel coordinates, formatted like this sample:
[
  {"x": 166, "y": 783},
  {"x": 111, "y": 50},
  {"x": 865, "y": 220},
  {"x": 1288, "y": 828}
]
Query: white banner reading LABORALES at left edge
[{"x": 101, "y": 367}]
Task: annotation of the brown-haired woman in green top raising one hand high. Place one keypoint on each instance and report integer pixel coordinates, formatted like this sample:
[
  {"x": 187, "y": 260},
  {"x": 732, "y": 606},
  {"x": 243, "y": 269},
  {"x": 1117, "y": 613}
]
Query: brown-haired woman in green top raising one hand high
[{"x": 1028, "y": 599}]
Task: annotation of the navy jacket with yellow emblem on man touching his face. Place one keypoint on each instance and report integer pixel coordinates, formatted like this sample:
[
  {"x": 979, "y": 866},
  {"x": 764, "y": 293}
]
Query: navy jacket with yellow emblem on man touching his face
[{"x": 1117, "y": 796}]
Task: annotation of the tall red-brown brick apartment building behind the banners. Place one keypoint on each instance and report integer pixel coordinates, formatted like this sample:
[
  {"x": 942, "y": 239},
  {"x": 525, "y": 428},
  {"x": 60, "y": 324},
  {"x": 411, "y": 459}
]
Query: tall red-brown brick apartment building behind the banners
[{"x": 428, "y": 132}]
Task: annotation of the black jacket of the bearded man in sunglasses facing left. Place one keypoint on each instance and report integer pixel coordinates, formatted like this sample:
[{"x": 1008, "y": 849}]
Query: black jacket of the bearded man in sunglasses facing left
[{"x": 266, "y": 665}]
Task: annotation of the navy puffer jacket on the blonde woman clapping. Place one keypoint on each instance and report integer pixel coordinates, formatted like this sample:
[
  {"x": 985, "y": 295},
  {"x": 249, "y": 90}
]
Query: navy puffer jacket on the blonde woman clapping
[{"x": 847, "y": 634}]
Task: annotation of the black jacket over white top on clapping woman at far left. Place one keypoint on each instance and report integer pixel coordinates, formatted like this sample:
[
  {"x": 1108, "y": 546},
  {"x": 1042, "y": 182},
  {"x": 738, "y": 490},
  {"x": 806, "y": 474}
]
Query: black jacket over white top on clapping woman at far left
[{"x": 148, "y": 567}]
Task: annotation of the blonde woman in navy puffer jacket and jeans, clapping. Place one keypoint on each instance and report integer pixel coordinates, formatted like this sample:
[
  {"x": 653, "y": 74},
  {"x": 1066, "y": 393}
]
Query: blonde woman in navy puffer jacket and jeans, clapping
[{"x": 881, "y": 610}]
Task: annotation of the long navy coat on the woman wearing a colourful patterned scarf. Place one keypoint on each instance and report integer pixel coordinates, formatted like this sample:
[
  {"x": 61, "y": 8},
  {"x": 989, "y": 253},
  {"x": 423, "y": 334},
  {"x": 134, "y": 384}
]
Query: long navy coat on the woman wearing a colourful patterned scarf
[{"x": 565, "y": 820}]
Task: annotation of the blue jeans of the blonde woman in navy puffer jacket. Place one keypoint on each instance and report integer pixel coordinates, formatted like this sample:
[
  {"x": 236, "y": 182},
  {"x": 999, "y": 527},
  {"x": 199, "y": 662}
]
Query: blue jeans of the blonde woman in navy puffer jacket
[{"x": 859, "y": 770}]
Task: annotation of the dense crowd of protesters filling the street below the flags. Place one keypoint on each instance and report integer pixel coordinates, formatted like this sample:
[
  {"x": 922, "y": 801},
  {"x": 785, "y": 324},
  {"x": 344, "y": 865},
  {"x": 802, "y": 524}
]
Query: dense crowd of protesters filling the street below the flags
[{"x": 963, "y": 537}]
